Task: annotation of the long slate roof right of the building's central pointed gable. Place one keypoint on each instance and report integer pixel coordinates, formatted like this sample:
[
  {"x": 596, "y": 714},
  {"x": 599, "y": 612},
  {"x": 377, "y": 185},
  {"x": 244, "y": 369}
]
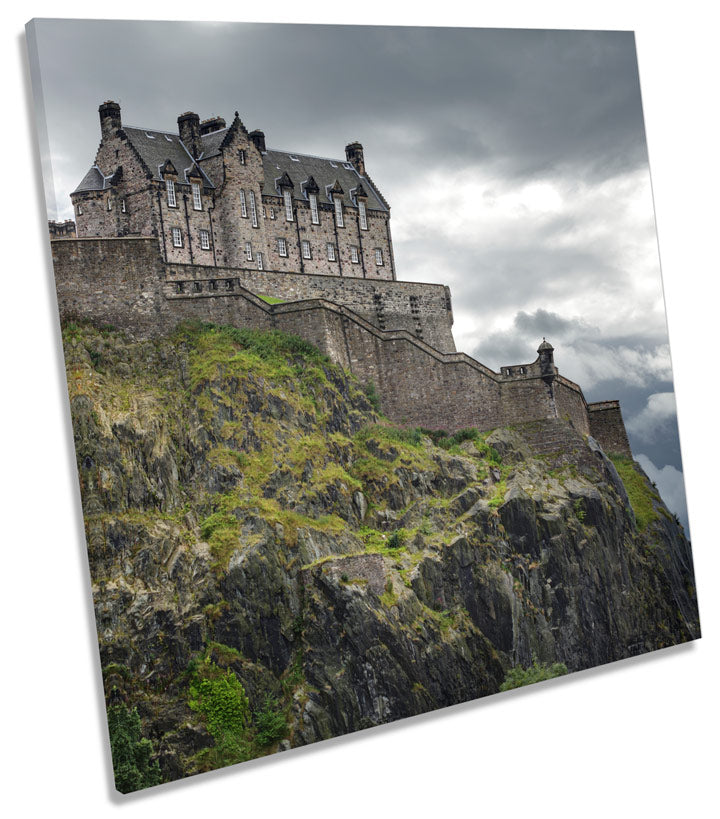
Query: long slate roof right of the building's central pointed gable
[{"x": 325, "y": 172}]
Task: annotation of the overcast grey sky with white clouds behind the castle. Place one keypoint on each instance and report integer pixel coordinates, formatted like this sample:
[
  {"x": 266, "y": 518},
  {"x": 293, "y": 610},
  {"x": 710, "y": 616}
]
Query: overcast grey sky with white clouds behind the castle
[{"x": 514, "y": 161}]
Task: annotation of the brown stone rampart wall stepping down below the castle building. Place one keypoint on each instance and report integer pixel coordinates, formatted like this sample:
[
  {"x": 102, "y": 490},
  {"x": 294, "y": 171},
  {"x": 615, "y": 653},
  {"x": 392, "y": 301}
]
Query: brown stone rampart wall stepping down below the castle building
[{"x": 124, "y": 282}]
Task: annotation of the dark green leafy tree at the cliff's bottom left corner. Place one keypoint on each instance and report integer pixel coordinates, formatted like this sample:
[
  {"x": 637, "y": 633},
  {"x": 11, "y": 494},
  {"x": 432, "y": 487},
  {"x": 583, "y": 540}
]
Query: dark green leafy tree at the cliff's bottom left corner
[{"x": 133, "y": 766}]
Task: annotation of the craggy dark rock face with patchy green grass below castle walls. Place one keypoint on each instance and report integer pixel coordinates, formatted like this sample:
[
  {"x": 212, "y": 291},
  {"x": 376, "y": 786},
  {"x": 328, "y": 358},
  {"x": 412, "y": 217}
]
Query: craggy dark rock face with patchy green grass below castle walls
[{"x": 245, "y": 504}]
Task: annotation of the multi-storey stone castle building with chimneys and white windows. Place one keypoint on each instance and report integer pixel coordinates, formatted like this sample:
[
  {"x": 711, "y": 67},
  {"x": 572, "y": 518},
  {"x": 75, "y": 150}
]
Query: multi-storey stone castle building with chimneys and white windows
[{"x": 214, "y": 195}]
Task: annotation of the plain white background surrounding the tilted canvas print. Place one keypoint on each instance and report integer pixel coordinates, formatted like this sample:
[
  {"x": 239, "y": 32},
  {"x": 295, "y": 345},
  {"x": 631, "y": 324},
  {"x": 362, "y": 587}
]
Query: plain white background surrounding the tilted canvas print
[{"x": 635, "y": 739}]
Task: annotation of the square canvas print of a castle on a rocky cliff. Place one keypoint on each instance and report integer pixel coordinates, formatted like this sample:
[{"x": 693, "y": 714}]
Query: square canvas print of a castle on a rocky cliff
[{"x": 368, "y": 372}]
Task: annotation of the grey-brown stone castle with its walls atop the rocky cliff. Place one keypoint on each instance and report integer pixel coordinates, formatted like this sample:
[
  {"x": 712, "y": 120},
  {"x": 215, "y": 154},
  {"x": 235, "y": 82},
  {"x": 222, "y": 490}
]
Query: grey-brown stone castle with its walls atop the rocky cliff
[{"x": 210, "y": 224}]
